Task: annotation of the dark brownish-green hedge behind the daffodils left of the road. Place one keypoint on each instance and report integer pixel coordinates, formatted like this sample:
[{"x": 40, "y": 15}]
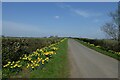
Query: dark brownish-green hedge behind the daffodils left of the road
[{"x": 14, "y": 48}]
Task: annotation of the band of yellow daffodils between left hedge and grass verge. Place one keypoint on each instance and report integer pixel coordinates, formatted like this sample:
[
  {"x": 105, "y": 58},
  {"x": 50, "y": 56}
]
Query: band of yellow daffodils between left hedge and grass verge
[{"x": 35, "y": 59}]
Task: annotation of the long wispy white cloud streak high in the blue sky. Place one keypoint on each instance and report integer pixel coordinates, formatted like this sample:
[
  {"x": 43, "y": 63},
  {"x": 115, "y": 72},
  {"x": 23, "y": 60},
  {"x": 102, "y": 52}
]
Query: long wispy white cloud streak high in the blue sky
[{"x": 80, "y": 12}]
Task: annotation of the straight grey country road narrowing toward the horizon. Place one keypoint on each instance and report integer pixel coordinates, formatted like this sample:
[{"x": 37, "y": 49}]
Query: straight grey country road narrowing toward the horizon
[{"x": 87, "y": 63}]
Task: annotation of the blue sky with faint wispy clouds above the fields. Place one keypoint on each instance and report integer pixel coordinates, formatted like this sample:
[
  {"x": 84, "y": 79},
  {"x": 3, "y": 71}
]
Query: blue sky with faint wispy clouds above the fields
[{"x": 38, "y": 19}]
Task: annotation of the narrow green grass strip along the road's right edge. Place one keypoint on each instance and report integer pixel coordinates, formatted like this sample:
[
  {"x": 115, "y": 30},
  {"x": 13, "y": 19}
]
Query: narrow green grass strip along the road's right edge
[{"x": 115, "y": 56}]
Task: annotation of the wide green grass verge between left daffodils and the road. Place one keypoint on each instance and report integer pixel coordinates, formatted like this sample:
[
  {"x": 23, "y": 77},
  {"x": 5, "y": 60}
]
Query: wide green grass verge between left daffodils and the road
[{"x": 57, "y": 67}]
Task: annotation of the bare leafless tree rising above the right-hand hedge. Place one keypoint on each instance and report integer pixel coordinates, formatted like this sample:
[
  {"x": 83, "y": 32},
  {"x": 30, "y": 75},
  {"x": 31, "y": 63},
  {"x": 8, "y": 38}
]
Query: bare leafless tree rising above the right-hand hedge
[{"x": 112, "y": 28}]
